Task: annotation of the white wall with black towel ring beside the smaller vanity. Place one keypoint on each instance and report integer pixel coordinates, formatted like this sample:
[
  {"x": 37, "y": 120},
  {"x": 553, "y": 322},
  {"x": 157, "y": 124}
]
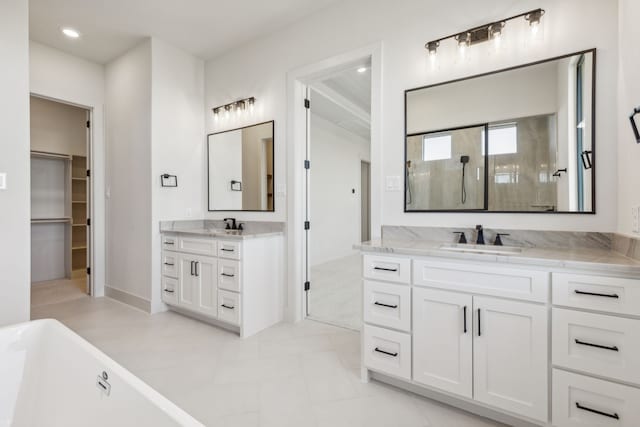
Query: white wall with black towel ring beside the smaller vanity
[{"x": 177, "y": 144}]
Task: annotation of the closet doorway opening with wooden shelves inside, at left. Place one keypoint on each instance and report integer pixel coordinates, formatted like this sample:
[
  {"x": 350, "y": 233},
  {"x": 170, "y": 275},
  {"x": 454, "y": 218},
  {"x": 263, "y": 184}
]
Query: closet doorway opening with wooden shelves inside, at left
[{"x": 60, "y": 202}]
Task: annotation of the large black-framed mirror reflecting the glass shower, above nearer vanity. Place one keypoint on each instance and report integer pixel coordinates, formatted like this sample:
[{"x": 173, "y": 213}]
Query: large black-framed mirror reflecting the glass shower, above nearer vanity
[{"x": 520, "y": 140}]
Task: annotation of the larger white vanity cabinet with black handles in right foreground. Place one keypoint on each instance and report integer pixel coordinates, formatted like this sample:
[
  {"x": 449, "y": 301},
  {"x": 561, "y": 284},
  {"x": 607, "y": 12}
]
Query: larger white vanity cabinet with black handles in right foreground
[{"x": 545, "y": 347}]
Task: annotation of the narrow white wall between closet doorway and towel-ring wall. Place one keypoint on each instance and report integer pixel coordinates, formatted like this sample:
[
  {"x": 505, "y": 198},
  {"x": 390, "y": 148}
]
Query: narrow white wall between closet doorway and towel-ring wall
[{"x": 128, "y": 178}]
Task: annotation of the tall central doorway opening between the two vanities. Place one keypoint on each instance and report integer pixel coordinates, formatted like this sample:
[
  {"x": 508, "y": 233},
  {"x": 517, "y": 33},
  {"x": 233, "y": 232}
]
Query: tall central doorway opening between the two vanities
[{"x": 338, "y": 200}]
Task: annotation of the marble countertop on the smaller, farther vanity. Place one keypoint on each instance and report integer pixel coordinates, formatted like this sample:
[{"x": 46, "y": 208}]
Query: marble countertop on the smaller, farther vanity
[{"x": 210, "y": 229}]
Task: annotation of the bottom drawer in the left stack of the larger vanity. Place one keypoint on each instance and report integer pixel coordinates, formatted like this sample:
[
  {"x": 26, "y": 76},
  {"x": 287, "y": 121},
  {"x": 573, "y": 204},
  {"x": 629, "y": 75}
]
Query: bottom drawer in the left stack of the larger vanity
[{"x": 387, "y": 351}]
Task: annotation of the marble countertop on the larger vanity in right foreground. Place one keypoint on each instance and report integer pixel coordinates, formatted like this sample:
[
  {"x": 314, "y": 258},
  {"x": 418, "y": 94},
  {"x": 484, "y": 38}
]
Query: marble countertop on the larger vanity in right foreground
[{"x": 592, "y": 259}]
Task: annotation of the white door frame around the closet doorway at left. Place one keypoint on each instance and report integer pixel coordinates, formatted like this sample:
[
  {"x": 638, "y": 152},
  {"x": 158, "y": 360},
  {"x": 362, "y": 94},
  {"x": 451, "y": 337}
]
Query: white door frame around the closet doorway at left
[{"x": 91, "y": 287}]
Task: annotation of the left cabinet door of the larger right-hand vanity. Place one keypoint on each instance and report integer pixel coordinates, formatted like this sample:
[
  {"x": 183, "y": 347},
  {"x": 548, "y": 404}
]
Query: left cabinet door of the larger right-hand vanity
[{"x": 443, "y": 340}]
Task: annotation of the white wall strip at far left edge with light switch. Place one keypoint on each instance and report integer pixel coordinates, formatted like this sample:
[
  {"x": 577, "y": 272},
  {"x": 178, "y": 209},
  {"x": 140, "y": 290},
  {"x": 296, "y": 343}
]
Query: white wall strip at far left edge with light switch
[{"x": 14, "y": 161}]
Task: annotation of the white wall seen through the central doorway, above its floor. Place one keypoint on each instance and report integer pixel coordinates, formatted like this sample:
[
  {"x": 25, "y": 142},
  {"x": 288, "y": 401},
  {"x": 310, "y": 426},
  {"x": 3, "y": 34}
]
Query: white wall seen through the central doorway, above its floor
[{"x": 335, "y": 211}]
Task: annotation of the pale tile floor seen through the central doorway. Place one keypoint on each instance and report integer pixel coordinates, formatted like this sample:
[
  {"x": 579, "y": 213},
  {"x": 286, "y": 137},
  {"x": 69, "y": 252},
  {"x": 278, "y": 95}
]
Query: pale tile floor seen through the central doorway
[{"x": 336, "y": 292}]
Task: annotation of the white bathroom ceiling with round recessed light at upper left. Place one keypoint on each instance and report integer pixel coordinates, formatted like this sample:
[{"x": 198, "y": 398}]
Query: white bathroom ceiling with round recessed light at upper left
[{"x": 206, "y": 28}]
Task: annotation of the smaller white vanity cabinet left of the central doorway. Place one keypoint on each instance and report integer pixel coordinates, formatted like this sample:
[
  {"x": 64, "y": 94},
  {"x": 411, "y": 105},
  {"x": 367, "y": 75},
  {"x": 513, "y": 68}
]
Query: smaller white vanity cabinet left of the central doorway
[{"x": 234, "y": 283}]
